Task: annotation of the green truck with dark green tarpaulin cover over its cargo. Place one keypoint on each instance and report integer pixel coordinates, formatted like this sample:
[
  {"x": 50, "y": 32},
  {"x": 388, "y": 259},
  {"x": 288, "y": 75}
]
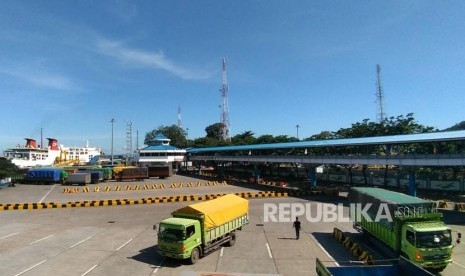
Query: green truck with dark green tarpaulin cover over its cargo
[{"x": 411, "y": 227}]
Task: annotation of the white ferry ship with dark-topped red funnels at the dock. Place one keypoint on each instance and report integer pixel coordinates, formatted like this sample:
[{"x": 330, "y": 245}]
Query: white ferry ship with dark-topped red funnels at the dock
[{"x": 30, "y": 155}]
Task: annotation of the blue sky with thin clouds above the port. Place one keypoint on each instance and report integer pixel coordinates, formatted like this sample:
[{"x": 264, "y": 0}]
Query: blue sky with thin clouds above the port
[{"x": 70, "y": 66}]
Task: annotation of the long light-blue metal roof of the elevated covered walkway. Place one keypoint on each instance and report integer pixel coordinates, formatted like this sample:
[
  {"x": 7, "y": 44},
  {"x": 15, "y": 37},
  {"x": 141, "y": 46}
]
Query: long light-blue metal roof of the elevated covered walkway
[{"x": 378, "y": 140}]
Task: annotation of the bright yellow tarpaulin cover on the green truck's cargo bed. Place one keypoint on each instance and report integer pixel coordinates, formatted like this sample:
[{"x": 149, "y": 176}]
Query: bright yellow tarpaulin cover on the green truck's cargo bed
[{"x": 218, "y": 211}]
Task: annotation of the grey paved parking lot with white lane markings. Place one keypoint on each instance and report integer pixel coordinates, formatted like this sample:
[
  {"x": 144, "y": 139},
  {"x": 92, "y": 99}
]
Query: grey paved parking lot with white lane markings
[{"x": 120, "y": 240}]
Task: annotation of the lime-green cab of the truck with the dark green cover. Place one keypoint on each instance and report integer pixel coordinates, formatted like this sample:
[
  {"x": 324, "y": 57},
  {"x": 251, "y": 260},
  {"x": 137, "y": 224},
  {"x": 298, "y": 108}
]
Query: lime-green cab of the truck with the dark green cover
[{"x": 428, "y": 244}]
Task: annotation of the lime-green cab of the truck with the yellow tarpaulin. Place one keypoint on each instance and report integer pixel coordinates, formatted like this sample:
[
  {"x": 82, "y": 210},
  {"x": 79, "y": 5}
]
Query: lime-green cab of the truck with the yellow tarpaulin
[{"x": 177, "y": 237}]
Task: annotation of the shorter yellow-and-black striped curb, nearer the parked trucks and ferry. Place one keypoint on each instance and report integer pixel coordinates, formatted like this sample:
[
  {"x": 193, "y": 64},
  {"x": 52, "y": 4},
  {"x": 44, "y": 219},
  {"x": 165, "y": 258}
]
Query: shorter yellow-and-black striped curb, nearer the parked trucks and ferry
[{"x": 118, "y": 188}]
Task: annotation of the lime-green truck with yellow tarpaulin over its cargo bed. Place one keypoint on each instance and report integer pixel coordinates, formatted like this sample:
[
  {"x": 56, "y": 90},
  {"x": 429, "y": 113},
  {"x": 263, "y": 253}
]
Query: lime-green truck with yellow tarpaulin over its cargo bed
[{"x": 198, "y": 229}]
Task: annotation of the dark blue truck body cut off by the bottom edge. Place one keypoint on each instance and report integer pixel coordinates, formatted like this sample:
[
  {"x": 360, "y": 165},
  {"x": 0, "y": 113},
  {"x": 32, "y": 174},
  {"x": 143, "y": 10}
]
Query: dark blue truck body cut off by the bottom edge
[{"x": 400, "y": 267}]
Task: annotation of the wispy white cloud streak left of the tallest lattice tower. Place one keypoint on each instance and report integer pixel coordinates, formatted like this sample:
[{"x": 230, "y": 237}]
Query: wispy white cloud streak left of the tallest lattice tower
[{"x": 155, "y": 60}]
